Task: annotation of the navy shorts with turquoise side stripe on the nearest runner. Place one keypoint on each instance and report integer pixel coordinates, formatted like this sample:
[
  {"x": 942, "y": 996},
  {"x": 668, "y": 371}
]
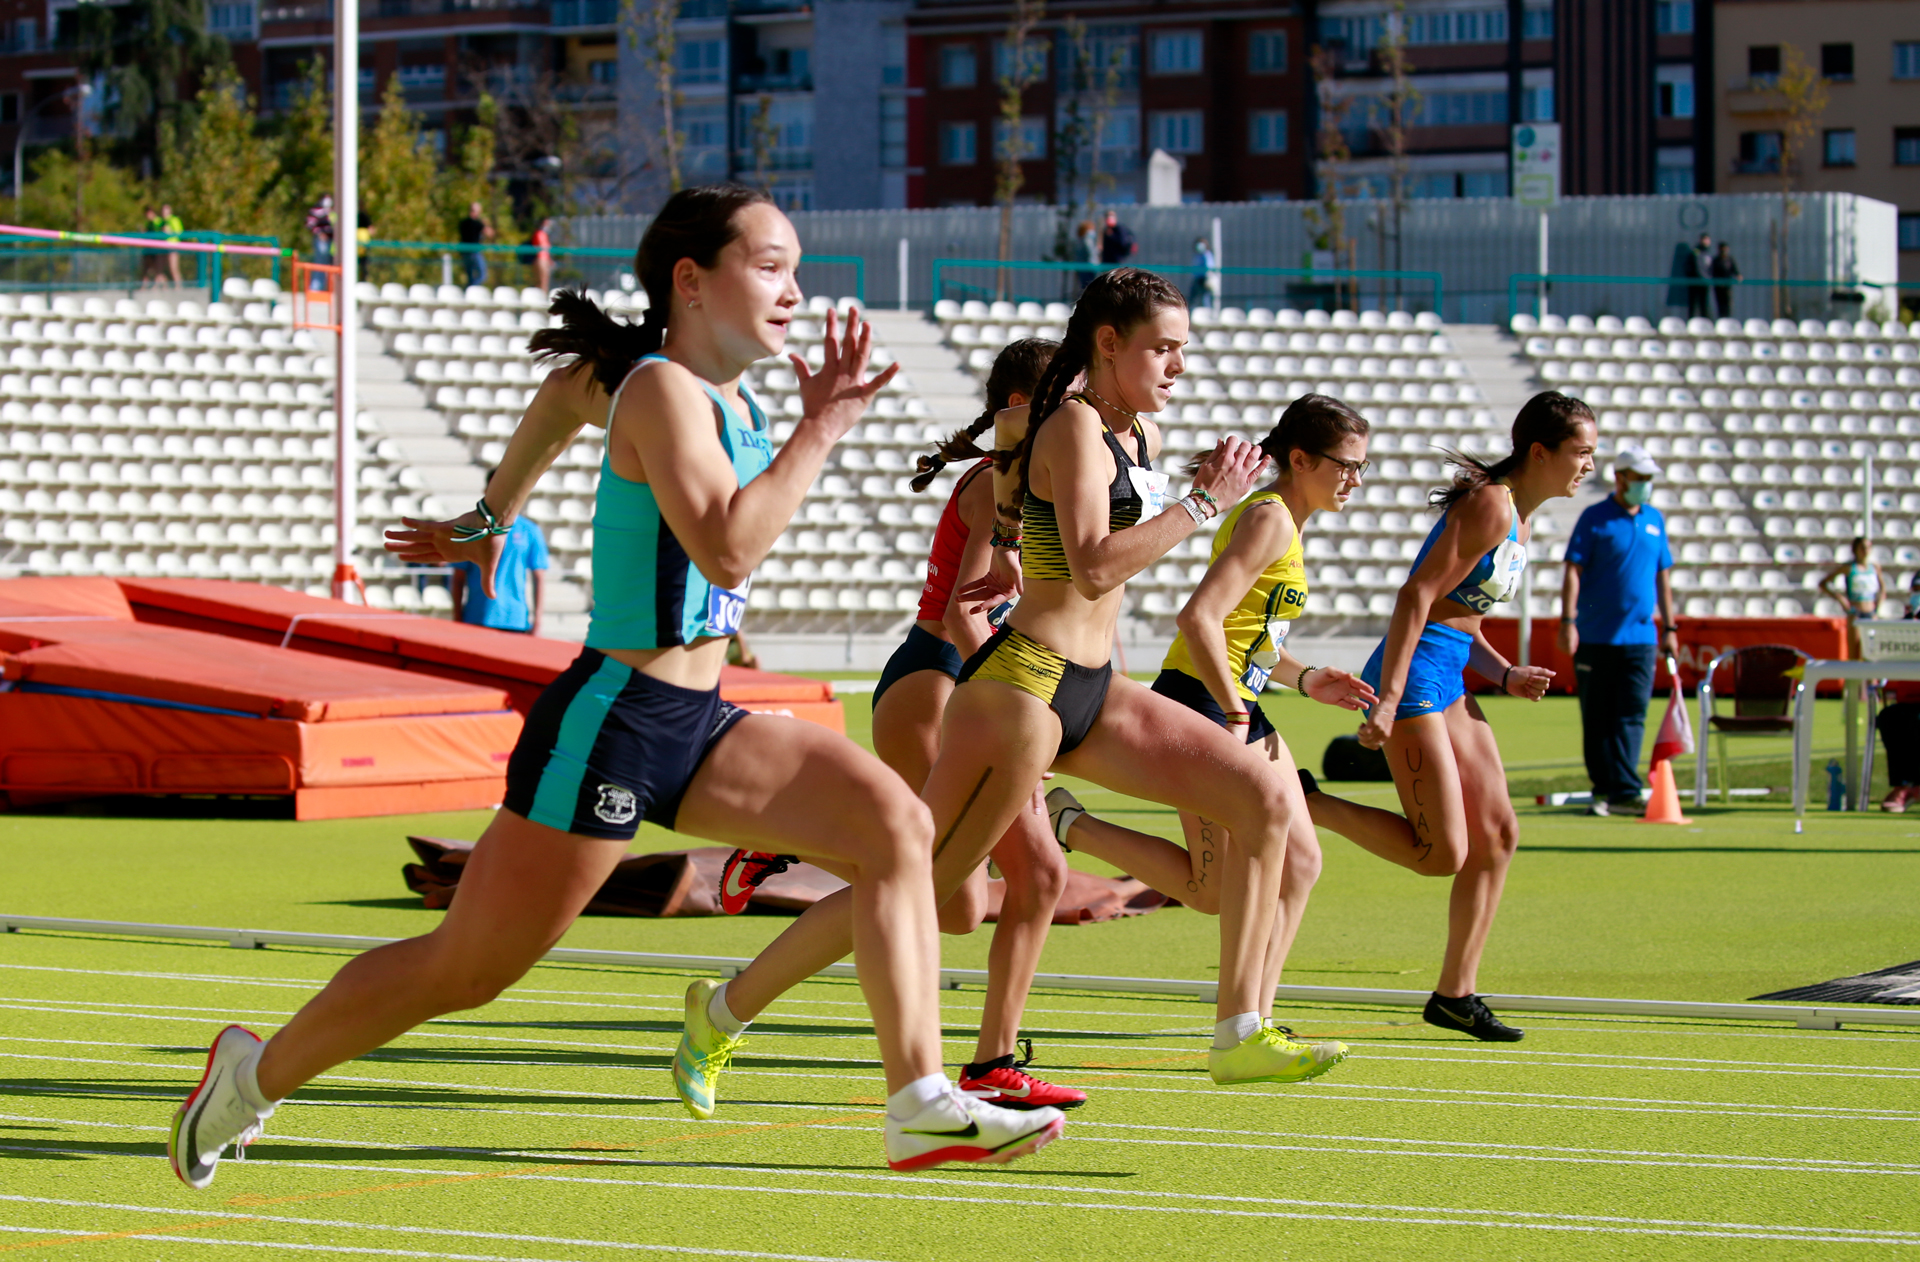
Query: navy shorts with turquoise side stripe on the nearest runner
[{"x": 608, "y": 746}]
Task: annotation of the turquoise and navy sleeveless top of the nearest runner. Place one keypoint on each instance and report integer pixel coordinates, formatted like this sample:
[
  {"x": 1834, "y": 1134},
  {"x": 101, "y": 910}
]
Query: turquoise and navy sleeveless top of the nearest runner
[{"x": 648, "y": 595}]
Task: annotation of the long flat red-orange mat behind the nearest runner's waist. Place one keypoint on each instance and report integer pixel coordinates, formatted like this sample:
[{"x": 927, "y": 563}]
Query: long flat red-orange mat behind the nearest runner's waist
[{"x": 519, "y": 666}]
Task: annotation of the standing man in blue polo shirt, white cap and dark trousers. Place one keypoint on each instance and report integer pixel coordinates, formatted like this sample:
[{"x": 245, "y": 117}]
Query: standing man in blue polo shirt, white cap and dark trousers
[{"x": 1618, "y": 571}]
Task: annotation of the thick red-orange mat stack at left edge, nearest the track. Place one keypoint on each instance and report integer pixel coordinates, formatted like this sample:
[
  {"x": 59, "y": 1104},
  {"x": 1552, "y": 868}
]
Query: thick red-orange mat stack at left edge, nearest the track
[{"x": 95, "y": 702}]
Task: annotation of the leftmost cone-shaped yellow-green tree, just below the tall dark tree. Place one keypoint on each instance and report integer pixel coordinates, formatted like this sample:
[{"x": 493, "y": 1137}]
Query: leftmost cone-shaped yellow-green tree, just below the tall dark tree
[{"x": 218, "y": 172}]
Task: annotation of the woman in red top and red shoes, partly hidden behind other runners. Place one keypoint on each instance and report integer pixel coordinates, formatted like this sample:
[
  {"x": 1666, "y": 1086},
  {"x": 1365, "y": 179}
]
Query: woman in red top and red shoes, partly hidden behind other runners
[{"x": 909, "y": 706}]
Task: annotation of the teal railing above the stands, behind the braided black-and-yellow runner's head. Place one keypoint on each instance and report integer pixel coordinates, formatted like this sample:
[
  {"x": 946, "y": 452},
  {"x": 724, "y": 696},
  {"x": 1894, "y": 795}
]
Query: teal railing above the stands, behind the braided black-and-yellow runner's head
[{"x": 1305, "y": 287}]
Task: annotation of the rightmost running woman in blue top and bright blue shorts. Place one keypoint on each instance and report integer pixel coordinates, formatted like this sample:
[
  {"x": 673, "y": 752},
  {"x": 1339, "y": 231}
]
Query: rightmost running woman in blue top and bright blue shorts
[{"x": 1443, "y": 754}]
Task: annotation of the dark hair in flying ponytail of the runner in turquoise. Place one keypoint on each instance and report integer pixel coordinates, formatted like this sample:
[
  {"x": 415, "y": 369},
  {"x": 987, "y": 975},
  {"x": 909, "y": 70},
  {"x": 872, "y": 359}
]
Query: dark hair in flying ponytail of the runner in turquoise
[{"x": 694, "y": 224}]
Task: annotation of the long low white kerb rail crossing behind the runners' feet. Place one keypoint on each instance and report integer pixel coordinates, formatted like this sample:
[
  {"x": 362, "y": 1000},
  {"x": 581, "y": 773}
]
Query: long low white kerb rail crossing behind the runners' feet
[{"x": 1808, "y": 1017}]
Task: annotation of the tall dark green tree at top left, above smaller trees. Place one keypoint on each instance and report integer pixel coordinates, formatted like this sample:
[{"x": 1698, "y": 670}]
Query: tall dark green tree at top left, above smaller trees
[{"x": 141, "y": 53}]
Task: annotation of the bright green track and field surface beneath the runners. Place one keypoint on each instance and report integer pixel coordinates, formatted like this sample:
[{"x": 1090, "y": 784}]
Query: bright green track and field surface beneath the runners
[{"x": 542, "y": 1127}]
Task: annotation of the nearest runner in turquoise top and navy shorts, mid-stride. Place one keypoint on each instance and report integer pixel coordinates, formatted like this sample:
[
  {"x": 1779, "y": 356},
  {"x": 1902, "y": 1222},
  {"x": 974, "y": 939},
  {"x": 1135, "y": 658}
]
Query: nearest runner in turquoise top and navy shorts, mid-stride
[{"x": 692, "y": 500}]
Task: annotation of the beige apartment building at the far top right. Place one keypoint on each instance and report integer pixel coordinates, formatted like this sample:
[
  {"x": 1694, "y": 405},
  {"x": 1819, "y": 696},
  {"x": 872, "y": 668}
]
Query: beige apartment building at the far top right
[{"x": 1865, "y": 139}]
